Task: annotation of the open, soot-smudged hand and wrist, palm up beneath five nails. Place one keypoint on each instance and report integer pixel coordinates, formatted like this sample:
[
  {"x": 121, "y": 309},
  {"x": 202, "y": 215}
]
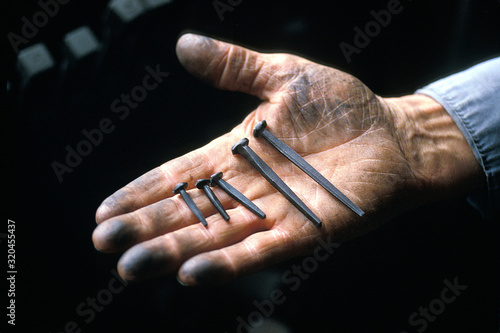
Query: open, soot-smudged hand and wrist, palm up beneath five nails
[{"x": 388, "y": 155}]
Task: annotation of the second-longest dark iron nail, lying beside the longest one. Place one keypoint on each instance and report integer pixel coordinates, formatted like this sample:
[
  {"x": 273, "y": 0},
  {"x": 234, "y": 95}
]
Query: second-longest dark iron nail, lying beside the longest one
[{"x": 242, "y": 148}]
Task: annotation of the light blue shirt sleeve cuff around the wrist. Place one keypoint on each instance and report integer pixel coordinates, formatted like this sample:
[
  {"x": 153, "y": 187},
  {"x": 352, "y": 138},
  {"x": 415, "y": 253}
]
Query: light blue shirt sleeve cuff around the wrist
[{"x": 472, "y": 98}]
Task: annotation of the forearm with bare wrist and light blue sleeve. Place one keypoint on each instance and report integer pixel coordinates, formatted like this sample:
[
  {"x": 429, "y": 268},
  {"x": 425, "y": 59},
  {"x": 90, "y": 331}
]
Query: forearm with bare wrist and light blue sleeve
[{"x": 447, "y": 123}]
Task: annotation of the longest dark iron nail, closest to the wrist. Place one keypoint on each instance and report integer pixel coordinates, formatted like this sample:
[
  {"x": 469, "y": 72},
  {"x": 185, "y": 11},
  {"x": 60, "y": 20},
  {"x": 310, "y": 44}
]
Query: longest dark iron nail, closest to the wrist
[{"x": 295, "y": 158}]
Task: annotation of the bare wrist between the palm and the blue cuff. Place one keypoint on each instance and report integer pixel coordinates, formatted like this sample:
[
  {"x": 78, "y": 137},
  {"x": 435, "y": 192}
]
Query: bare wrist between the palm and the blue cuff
[{"x": 437, "y": 151}]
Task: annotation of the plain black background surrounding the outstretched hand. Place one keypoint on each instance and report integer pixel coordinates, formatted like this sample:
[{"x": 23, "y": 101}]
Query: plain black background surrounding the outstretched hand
[{"x": 371, "y": 284}]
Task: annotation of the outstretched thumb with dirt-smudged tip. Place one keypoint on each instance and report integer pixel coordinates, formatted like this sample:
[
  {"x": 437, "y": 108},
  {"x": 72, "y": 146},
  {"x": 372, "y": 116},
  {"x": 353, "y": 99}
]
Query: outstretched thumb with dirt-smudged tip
[{"x": 228, "y": 66}]
